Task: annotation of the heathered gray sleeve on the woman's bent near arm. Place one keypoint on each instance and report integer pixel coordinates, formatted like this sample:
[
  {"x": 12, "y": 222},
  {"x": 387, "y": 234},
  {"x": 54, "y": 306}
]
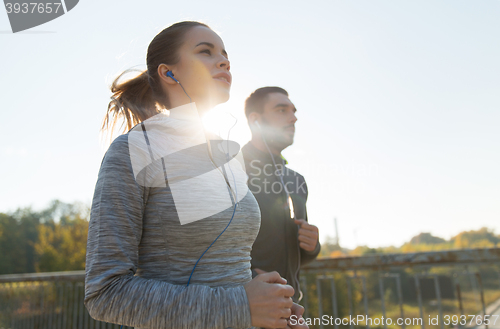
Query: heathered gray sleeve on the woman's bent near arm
[{"x": 112, "y": 291}]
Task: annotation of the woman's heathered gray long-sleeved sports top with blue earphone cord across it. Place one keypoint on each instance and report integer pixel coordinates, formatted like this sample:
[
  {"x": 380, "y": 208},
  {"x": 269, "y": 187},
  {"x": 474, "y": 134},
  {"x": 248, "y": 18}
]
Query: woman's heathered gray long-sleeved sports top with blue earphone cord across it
[{"x": 145, "y": 236}]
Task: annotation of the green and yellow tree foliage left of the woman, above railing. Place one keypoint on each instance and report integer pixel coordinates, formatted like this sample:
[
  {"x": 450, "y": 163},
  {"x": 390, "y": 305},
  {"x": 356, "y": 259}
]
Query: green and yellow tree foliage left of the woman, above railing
[{"x": 53, "y": 239}]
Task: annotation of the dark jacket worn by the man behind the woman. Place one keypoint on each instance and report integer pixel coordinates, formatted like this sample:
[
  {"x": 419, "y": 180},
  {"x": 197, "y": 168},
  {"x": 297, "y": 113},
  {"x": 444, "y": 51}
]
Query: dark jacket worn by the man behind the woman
[{"x": 276, "y": 246}]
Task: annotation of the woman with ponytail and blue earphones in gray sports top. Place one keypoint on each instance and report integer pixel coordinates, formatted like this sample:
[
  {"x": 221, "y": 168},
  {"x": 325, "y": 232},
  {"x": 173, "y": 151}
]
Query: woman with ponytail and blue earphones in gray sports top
[{"x": 143, "y": 264}]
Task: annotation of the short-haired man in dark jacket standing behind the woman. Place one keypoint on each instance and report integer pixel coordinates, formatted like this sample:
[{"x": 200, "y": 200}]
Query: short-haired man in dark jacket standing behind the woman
[{"x": 281, "y": 192}]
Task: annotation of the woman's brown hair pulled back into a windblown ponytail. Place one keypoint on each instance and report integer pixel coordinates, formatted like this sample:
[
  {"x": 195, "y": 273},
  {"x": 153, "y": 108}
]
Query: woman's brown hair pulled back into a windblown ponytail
[{"x": 142, "y": 97}]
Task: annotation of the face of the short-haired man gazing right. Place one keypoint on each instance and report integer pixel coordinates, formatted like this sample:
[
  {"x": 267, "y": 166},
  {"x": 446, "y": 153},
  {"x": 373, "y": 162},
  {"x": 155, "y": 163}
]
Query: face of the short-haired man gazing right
[{"x": 278, "y": 120}]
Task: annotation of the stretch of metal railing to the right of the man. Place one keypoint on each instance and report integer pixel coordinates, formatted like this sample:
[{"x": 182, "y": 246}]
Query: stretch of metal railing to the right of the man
[{"x": 454, "y": 279}]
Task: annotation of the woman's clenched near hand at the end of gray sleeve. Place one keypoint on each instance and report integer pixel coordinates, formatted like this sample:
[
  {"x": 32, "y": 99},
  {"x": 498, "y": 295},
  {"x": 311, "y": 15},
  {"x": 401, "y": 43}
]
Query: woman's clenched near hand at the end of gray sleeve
[{"x": 270, "y": 300}]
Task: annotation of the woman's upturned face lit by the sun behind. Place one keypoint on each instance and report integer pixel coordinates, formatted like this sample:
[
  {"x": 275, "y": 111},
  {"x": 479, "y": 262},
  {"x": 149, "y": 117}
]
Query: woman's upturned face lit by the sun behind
[{"x": 203, "y": 68}]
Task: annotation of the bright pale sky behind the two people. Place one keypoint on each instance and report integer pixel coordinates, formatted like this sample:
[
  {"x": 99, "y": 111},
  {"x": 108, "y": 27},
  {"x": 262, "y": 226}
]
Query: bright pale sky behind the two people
[{"x": 398, "y": 104}]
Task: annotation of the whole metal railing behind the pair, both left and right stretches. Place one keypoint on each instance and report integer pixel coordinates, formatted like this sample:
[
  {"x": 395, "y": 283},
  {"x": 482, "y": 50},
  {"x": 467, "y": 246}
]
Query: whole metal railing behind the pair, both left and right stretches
[{"x": 425, "y": 285}]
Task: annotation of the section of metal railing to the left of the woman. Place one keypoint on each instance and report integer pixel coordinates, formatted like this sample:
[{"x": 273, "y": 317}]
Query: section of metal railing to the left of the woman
[{"x": 51, "y": 300}]
